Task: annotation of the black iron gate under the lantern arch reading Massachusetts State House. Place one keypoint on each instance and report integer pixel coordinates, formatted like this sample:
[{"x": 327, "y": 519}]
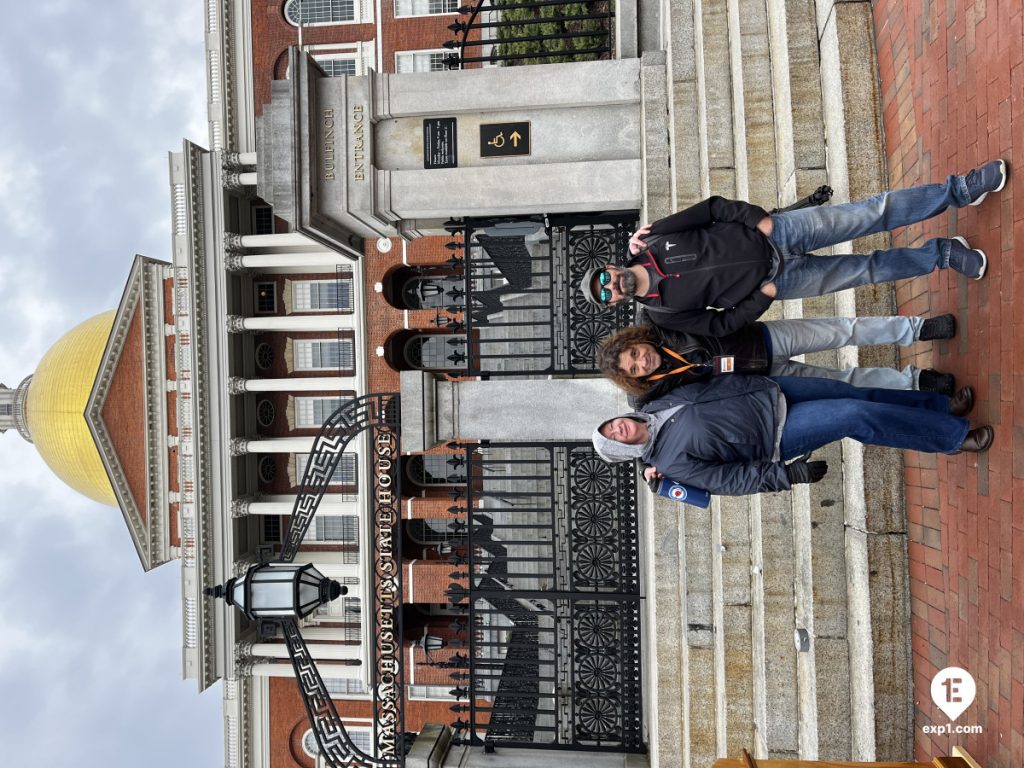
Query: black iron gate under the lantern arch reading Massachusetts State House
[{"x": 551, "y": 589}]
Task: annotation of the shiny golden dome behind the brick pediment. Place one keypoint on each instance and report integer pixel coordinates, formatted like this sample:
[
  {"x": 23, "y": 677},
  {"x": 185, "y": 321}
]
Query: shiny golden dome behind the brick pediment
[{"x": 55, "y": 409}]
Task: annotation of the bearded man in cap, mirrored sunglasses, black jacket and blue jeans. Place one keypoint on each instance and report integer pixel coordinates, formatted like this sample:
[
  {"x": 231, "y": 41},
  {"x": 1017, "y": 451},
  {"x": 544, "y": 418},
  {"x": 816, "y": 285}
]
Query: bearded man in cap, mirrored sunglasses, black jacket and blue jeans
[{"x": 717, "y": 267}]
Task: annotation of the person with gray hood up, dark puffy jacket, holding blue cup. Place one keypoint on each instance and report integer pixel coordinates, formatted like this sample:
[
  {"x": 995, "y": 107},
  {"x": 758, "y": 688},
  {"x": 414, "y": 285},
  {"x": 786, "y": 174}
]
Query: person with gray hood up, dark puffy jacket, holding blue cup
[{"x": 733, "y": 436}]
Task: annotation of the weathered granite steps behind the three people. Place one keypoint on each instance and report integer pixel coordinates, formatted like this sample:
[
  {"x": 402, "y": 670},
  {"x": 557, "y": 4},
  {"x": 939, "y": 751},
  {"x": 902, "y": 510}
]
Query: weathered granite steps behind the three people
[{"x": 770, "y": 100}]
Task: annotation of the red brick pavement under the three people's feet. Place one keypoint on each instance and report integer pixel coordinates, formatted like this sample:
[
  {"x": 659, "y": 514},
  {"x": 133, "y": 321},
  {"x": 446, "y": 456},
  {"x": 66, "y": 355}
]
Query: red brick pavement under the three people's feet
[{"x": 953, "y": 80}]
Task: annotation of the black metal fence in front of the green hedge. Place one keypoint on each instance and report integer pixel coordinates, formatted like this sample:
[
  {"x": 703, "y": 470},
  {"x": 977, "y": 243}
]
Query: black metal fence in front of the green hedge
[{"x": 509, "y": 32}]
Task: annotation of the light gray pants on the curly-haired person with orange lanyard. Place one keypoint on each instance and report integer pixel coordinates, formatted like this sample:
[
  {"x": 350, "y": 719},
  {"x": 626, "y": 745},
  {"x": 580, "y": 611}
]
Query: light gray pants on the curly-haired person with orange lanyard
[{"x": 793, "y": 337}]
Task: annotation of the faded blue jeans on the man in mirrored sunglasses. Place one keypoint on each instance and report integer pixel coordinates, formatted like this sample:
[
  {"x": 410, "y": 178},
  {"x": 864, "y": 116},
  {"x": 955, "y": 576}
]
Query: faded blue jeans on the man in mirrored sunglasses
[{"x": 797, "y": 234}]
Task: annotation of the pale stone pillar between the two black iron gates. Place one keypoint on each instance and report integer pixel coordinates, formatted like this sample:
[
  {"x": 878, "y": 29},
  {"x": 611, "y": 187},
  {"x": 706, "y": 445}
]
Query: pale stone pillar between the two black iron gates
[{"x": 436, "y": 411}]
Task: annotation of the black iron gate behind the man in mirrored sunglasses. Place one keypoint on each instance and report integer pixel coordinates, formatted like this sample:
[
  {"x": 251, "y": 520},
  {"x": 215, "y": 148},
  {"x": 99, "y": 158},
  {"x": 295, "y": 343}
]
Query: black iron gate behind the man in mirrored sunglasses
[{"x": 521, "y": 312}]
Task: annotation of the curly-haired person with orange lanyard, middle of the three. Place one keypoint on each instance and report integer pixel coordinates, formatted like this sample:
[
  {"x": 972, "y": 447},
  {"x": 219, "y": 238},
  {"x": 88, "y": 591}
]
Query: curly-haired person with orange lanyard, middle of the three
[{"x": 647, "y": 361}]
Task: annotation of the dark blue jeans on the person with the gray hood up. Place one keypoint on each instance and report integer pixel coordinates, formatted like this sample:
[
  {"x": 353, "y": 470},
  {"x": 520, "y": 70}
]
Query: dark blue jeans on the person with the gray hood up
[{"x": 822, "y": 411}]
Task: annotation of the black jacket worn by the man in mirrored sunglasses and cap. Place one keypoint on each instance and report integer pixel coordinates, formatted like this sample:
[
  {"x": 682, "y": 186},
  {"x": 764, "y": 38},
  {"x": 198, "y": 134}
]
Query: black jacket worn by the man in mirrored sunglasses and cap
[{"x": 712, "y": 255}]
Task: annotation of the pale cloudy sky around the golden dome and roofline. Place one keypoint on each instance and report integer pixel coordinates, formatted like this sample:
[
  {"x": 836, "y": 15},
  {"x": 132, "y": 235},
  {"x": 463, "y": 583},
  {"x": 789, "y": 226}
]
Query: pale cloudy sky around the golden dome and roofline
[{"x": 91, "y": 653}]
